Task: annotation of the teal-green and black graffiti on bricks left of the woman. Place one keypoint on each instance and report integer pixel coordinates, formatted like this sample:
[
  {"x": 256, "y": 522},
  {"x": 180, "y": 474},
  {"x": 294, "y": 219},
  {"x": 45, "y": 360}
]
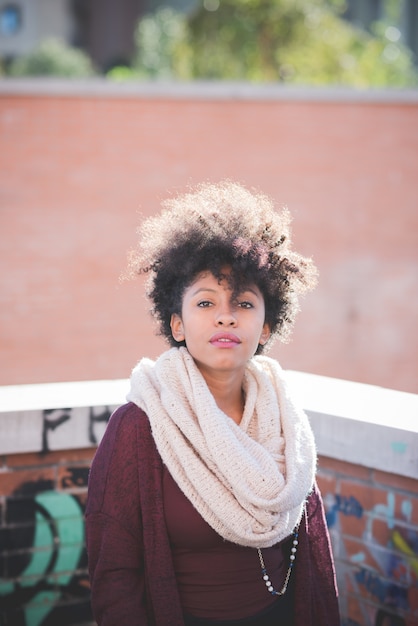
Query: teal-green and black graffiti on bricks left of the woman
[{"x": 43, "y": 563}]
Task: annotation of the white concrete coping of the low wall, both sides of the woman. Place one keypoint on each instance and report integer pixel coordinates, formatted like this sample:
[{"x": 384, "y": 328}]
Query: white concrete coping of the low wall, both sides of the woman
[{"x": 353, "y": 422}]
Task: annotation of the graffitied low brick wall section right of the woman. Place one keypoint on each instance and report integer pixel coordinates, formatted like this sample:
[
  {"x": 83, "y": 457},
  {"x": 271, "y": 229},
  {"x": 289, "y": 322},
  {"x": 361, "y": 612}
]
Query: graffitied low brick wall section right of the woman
[{"x": 373, "y": 522}]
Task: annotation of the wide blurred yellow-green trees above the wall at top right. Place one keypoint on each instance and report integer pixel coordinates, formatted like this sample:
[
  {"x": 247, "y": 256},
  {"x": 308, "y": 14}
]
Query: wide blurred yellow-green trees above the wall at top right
[{"x": 292, "y": 41}]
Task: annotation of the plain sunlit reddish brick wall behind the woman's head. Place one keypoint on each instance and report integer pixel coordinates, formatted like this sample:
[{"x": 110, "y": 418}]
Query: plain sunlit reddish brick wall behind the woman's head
[{"x": 75, "y": 172}]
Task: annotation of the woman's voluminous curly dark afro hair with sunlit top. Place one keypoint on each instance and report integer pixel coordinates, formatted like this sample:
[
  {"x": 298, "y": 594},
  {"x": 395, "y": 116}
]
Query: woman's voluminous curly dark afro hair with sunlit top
[{"x": 212, "y": 227}]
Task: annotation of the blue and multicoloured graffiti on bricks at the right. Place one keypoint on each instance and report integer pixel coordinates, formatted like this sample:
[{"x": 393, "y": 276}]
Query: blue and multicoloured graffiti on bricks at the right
[{"x": 385, "y": 570}]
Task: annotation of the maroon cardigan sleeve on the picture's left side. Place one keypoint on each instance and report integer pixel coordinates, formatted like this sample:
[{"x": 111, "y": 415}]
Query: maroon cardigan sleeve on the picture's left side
[{"x": 113, "y": 527}]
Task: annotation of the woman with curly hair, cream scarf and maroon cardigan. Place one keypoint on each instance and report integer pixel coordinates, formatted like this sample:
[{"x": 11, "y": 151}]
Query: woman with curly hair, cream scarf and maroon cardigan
[{"x": 202, "y": 506}]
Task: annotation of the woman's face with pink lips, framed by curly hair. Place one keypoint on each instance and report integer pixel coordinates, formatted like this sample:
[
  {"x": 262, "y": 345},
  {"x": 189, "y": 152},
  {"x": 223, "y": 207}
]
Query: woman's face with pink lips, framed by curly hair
[{"x": 221, "y": 333}]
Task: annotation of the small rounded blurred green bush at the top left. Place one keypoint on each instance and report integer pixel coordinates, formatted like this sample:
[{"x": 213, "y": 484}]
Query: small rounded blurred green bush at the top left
[{"x": 52, "y": 57}]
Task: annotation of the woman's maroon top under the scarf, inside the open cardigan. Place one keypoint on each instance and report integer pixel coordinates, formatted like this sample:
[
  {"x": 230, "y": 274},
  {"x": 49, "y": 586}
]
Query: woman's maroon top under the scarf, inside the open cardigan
[{"x": 216, "y": 578}]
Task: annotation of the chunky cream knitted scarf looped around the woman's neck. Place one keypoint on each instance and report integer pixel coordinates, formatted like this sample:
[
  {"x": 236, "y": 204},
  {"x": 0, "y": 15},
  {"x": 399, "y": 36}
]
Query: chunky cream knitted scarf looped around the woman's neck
[{"x": 249, "y": 481}]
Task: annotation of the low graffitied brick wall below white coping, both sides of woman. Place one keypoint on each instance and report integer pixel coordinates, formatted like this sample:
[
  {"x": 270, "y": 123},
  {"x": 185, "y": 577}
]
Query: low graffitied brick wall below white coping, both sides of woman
[{"x": 372, "y": 517}]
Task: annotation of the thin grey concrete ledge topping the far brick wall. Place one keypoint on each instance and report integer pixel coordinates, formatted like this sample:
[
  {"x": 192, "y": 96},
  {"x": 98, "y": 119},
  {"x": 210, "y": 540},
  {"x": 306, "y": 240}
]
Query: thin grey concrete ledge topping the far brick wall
[{"x": 200, "y": 90}]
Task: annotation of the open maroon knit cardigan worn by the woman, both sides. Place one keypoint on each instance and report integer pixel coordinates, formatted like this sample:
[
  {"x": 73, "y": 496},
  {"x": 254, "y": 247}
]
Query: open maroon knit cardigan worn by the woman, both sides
[{"x": 131, "y": 571}]
